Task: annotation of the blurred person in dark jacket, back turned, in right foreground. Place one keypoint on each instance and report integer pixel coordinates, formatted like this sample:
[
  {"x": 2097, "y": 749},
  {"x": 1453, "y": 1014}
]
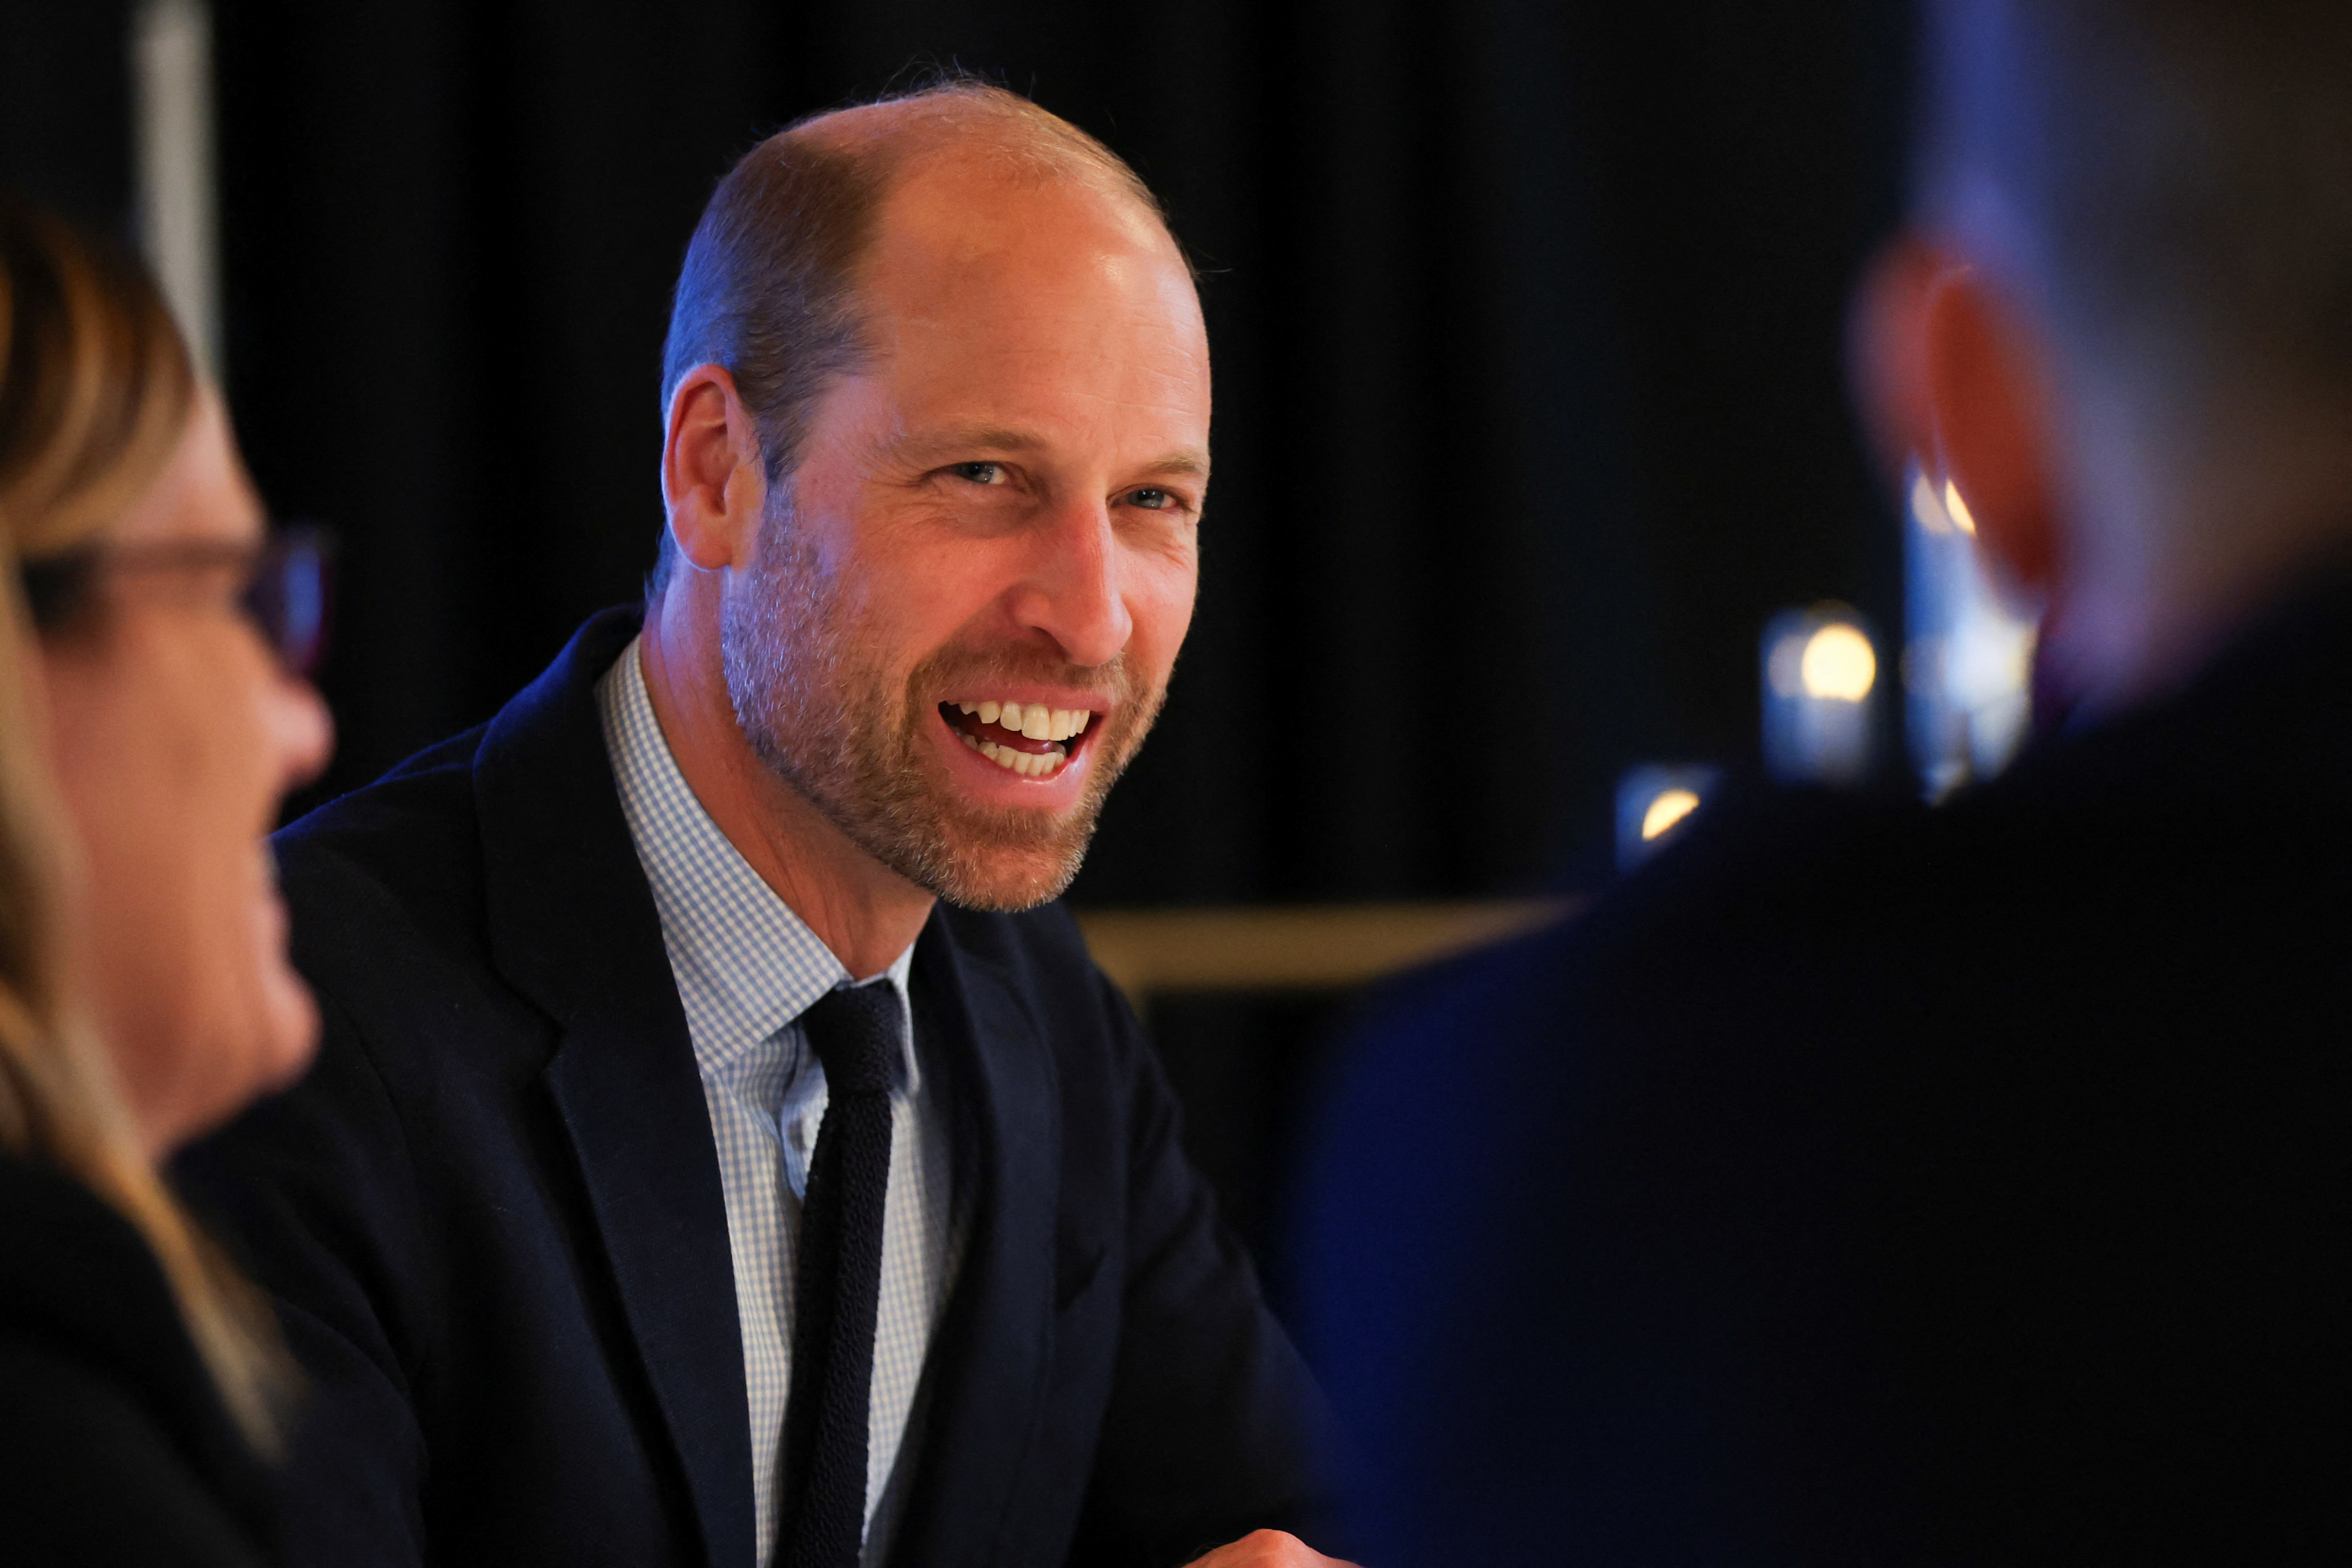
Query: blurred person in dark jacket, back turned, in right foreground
[{"x": 1899, "y": 1186}]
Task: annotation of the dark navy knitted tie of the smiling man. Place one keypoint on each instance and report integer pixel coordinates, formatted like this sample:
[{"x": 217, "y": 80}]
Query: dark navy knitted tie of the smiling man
[{"x": 855, "y": 1033}]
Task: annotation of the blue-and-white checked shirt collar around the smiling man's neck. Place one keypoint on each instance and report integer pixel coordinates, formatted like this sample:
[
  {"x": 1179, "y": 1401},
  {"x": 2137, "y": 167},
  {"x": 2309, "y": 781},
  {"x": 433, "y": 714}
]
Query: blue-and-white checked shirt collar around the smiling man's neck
[{"x": 747, "y": 965}]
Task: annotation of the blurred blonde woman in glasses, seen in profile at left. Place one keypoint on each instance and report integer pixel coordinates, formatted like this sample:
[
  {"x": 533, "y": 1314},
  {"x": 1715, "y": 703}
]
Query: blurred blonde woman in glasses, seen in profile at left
[{"x": 147, "y": 737}]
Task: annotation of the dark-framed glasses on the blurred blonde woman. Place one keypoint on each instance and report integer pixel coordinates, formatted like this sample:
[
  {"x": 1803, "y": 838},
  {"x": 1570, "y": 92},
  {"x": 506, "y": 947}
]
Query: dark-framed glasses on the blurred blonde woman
[{"x": 286, "y": 584}]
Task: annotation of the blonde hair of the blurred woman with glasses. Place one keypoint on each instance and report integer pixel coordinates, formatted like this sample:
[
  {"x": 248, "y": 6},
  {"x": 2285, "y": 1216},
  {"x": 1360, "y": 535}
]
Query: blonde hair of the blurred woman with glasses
[{"x": 95, "y": 396}]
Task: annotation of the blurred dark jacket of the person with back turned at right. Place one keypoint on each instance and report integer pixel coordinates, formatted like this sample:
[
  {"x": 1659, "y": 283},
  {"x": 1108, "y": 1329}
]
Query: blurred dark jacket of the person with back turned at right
[{"x": 1885, "y": 1186}]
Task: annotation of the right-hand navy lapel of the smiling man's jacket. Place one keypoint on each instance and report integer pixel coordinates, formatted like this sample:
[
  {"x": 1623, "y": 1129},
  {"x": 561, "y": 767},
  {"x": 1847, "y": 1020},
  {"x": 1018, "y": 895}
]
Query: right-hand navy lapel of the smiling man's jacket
[{"x": 984, "y": 1379}]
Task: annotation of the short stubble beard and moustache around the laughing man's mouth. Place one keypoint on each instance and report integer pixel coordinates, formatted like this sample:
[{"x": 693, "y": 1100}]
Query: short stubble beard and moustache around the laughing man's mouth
[{"x": 820, "y": 711}]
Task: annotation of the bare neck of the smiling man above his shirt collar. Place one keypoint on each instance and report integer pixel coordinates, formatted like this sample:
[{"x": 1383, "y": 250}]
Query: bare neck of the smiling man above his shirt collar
[{"x": 857, "y": 906}]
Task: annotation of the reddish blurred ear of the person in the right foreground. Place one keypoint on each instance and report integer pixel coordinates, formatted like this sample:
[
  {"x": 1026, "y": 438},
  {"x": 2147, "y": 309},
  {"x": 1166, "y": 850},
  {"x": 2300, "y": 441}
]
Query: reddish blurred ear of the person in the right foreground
[{"x": 1989, "y": 403}]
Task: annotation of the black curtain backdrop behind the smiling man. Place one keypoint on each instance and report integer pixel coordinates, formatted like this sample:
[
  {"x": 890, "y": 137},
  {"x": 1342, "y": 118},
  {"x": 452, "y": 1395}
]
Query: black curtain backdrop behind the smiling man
[{"x": 1528, "y": 326}]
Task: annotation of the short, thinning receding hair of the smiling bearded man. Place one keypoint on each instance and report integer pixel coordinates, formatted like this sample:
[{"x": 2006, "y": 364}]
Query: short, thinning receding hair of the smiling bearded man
[{"x": 770, "y": 279}]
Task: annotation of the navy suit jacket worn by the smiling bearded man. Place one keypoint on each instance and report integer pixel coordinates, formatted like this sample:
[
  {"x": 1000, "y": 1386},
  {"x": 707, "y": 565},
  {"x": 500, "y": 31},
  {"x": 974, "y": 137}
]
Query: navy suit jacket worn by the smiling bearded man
[{"x": 495, "y": 1228}]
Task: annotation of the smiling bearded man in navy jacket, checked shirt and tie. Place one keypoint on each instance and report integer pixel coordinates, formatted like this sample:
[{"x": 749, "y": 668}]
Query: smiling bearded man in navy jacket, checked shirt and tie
[{"x": 719, "y": 1155}]
